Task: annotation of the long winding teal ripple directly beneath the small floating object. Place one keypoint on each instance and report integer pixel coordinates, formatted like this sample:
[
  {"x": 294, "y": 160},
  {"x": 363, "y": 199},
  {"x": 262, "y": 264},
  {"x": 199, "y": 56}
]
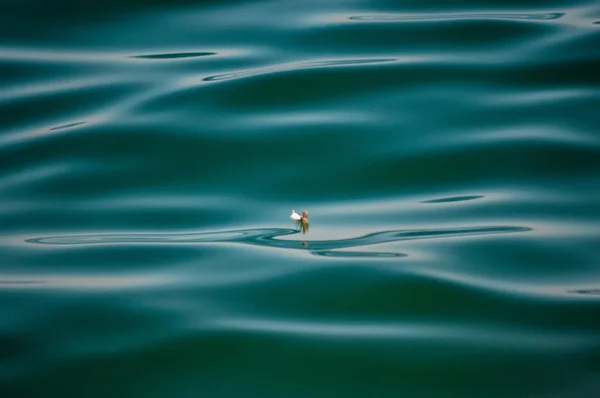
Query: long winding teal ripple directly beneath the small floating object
[{"x": 266, "y": 237}]
